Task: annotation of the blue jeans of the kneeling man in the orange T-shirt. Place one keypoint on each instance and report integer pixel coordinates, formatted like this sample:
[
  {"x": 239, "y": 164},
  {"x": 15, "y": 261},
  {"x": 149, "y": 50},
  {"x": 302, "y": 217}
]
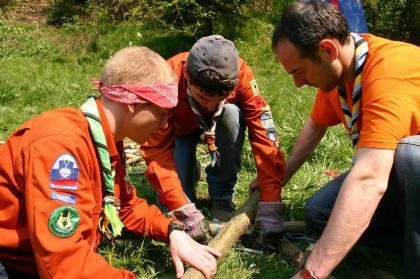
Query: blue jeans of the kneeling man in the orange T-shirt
[{"x": 395, "y": 225}]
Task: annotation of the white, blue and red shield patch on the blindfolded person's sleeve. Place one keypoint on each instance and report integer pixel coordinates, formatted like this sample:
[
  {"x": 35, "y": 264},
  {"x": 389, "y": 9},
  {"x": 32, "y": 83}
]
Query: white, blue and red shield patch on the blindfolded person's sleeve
[{"x": 64, "y": 173}]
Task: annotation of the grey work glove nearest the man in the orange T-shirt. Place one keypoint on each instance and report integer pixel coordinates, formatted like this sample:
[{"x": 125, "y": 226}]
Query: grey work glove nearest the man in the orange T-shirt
[{"x": 269, "y": 220}]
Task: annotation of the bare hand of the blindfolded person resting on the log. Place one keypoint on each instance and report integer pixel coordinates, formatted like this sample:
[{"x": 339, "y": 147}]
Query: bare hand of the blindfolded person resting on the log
[{"x": 184, "y": 249}]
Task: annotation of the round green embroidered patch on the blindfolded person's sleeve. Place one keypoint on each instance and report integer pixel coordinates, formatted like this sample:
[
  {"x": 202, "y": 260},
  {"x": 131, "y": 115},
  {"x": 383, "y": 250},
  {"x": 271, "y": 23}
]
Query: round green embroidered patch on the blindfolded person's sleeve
[{"x": 64, "y": 221}]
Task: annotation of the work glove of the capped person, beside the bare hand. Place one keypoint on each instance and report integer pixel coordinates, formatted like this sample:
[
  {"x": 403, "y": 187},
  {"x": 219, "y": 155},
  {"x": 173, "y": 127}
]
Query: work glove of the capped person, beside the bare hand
[{"x": 196, "y": 225}]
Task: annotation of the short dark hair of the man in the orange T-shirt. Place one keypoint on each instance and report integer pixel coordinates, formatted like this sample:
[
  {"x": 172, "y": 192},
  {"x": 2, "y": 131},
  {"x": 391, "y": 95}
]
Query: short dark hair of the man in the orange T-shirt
[{"x": 306, "y": 23}]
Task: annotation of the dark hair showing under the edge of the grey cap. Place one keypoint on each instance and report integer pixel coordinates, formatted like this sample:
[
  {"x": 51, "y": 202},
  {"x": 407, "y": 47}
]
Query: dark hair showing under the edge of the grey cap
[{"x": 208, "y": 89}]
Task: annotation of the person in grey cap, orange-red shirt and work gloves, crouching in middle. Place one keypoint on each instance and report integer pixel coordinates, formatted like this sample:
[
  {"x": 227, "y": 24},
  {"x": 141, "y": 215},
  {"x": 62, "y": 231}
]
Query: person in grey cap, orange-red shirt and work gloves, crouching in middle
[{"x": 218, "y": 99}]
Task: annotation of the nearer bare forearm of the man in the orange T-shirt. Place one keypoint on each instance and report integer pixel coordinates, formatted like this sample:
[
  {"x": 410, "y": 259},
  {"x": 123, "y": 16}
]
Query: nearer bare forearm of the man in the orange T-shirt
[{"x": 355, "y": 205}]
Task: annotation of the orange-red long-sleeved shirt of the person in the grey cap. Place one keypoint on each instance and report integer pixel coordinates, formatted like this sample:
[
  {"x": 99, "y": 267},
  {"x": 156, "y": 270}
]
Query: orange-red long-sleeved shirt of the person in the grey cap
[{"x": 158, "y": 151}]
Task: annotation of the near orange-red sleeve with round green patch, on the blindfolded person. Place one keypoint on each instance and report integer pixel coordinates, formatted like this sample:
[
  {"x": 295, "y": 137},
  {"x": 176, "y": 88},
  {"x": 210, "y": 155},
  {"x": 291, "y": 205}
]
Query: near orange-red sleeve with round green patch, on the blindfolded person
[{"x": 60, "y": 203}]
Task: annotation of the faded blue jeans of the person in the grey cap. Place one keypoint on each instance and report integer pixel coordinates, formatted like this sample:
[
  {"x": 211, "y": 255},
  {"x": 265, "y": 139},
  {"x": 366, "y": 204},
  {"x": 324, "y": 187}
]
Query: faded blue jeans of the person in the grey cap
[{"x": 221, "y": 180}]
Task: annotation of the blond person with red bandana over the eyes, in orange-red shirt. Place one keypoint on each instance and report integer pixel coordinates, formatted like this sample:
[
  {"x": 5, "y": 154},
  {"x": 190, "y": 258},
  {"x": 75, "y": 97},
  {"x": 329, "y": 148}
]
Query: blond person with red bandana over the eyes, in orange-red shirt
[{"x": 63, "y": 184}]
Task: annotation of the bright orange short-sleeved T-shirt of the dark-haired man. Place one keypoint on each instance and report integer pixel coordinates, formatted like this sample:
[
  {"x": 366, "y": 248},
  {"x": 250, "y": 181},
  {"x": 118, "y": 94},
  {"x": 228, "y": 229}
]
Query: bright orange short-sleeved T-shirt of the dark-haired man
[{"x": 390, "y": 107}]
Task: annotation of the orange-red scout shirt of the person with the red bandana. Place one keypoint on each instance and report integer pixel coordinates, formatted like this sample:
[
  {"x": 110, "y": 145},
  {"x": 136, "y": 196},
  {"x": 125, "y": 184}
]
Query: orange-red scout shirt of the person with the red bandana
[{"x": 48, "y": 164}]
